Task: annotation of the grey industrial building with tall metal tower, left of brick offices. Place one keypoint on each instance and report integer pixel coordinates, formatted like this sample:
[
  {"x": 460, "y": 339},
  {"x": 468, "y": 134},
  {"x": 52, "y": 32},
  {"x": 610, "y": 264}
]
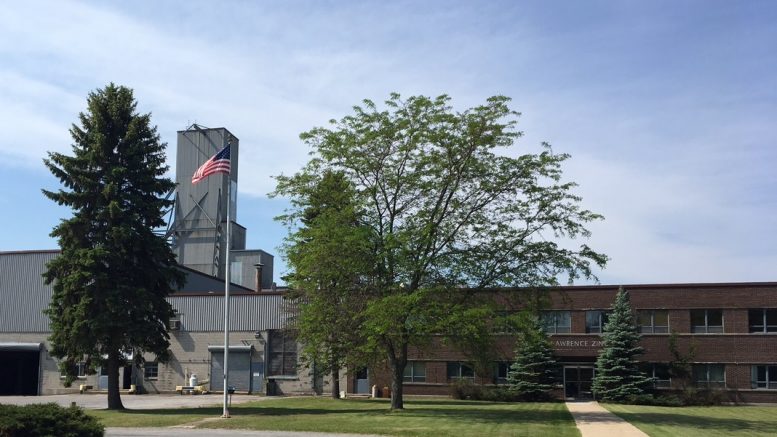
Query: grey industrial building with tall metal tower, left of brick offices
[{"x": 261, "y": 349}]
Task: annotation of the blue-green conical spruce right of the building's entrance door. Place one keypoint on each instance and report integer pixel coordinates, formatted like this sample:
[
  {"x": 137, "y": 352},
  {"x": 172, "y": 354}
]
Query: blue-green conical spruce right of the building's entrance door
[{"x": 617, "y": 370}]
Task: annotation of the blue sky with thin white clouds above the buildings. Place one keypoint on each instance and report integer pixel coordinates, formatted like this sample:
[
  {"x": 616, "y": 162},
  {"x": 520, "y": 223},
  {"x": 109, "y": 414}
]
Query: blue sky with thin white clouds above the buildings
[{"x": 668, "y": 108}]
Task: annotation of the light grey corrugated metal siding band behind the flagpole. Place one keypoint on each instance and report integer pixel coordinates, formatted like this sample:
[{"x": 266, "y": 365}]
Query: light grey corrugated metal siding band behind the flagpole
[{"x": 248, "y": 312}]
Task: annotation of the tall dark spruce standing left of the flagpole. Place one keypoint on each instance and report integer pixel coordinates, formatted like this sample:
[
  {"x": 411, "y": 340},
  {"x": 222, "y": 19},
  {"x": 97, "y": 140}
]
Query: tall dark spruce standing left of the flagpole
[{"x": 112, "y": 277}]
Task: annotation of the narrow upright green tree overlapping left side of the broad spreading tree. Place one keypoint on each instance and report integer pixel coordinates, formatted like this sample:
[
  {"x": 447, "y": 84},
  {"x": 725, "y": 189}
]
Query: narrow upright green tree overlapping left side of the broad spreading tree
[{"x": 330, "y": 257}]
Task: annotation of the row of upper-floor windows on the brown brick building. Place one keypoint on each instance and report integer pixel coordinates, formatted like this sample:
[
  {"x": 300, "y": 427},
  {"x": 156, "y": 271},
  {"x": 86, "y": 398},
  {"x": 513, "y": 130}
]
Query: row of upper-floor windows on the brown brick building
[{"x": 707, "y": 321}]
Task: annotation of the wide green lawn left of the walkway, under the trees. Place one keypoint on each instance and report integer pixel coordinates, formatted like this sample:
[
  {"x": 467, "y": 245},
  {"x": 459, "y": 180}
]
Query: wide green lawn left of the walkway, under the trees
[{"x": 427, "y": 417}]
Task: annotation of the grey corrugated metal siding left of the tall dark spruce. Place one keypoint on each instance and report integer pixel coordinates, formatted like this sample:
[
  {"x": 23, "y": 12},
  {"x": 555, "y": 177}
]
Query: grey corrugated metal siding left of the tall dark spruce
[{"x": 23, "y": 295}]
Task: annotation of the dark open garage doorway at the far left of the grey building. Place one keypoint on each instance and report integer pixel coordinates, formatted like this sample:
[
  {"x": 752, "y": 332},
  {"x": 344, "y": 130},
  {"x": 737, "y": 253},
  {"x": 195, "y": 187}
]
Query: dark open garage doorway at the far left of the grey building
[{"x": 19, "y": 369}]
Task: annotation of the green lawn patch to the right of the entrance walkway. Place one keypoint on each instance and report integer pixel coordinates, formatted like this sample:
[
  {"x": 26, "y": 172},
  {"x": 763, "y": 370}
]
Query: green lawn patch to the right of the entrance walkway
[{"x": 721, "y": 421}]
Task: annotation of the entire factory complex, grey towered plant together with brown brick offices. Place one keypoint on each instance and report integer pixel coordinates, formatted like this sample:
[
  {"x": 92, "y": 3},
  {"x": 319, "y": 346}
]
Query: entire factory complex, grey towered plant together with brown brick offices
[{"x": 729, "y": 331}]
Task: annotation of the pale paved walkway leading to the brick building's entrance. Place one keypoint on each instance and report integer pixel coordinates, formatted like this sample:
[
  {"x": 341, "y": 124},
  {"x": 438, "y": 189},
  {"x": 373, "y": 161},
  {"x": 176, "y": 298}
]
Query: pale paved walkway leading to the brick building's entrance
[{"x": 593, "y": 420}]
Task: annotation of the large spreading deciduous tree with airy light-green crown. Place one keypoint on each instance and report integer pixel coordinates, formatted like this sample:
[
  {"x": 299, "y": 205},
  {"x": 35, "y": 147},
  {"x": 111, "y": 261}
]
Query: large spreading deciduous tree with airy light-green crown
[{"x": 452, "y": 209}]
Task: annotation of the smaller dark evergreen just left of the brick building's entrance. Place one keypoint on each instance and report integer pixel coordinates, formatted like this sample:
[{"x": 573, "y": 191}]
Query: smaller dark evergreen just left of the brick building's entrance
[{"x": 535, "y": 371}]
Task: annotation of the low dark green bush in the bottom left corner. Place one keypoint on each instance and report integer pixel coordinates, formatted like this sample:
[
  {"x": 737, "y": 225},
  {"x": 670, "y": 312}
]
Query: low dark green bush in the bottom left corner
[{"x": 47, "y": 420}]
